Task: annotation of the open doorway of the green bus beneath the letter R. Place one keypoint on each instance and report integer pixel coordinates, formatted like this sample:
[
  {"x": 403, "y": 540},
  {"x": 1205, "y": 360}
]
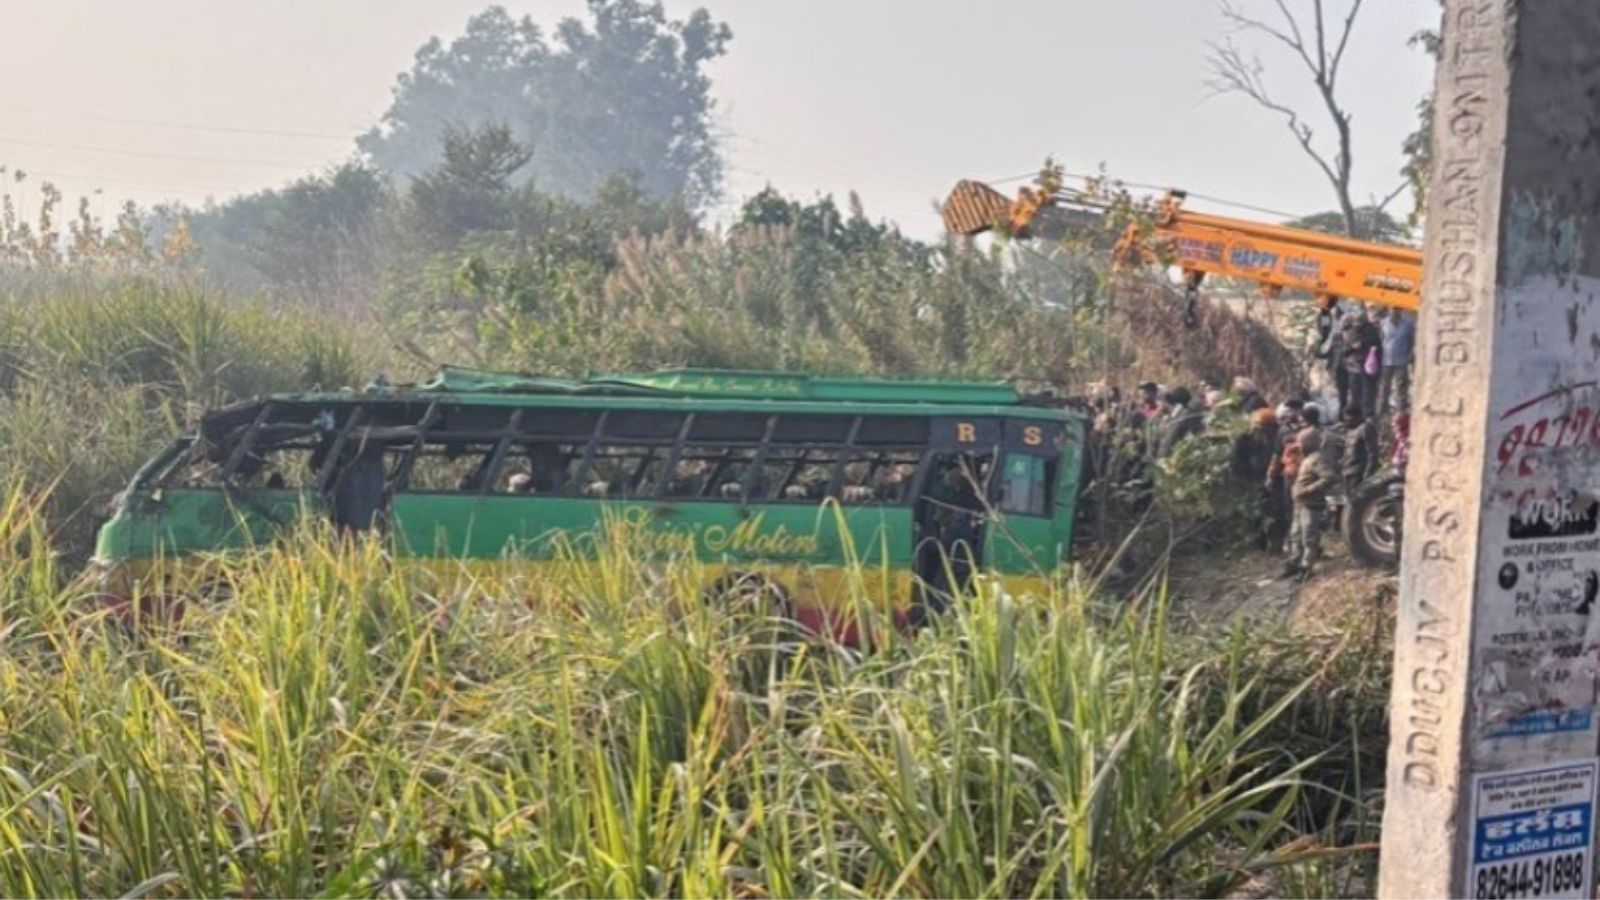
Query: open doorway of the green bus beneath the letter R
[{"x": 953, "y": 507}]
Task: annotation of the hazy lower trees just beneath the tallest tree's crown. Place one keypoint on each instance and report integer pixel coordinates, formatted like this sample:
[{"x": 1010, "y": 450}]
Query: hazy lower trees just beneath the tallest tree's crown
[{"x": 346, "y": 238}]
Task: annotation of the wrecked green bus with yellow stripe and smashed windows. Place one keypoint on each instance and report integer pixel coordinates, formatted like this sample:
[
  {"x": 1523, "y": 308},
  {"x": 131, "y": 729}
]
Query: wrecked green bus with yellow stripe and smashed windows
[{"x": 775, "y": 480}]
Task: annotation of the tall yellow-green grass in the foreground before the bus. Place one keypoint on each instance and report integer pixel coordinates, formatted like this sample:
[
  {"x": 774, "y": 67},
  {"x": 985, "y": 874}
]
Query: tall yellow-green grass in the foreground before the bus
[{"x": 342, "y": 726}]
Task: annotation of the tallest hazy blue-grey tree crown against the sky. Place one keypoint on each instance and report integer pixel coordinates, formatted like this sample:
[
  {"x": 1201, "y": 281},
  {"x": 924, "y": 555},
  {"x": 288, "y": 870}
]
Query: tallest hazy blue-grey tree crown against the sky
[{"x": 625, "y": 94}]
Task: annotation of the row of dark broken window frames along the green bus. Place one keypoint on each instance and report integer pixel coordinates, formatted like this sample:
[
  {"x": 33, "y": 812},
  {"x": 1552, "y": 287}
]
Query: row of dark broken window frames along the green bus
[{"x": 409, "y": 430}]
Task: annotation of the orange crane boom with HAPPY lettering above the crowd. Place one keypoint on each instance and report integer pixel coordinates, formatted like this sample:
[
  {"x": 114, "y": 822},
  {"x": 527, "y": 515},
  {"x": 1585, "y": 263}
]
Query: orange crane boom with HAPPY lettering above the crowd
[{"x": 1273, "y": 257}]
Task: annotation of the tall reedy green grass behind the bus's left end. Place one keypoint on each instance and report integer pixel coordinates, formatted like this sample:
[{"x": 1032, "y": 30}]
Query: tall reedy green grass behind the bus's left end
[{"x": 97, "y": 374}]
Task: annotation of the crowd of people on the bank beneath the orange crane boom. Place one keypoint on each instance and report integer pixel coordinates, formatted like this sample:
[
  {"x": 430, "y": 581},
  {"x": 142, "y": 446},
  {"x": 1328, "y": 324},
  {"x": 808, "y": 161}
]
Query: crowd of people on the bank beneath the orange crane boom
[{"x": 1302, "y": 456}]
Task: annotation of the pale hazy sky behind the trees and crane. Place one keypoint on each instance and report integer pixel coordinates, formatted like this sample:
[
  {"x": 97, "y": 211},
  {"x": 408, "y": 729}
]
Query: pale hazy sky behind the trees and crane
[{"x": 894, "y": 98}]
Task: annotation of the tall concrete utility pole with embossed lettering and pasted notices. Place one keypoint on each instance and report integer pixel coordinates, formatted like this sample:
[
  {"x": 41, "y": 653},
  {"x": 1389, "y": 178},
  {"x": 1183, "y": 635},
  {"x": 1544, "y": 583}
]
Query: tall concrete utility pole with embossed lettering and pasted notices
[{"x": 1494, "y": 718}]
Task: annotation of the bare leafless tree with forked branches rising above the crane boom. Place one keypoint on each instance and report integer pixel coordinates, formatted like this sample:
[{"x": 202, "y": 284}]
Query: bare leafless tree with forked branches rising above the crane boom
[{"x": 1319, "y": 44}]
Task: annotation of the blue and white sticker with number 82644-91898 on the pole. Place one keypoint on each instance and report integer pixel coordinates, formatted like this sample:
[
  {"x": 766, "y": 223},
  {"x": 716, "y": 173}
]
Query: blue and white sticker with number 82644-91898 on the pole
[{"x": 1532, "y": 832}]
